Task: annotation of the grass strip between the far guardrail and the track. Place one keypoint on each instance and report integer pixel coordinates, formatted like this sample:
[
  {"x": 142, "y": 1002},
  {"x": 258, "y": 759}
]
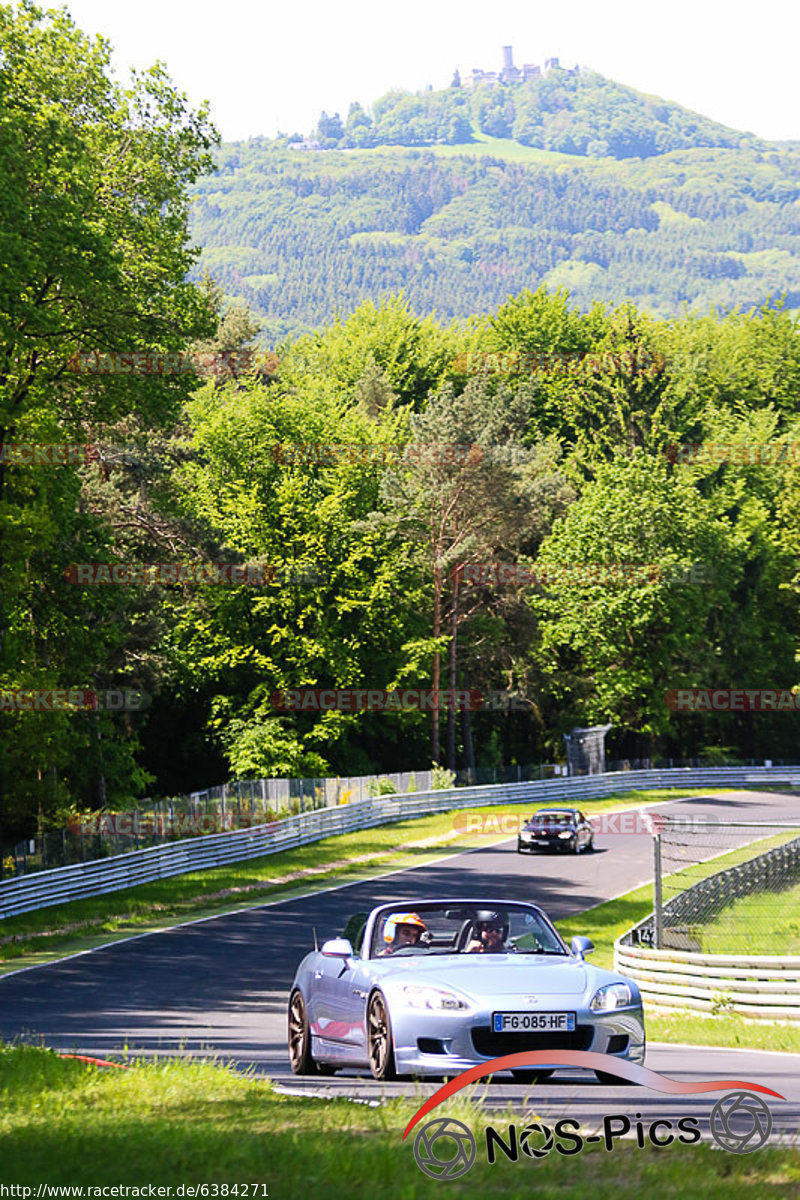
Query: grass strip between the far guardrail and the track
[{"x": 83, "y": 925}]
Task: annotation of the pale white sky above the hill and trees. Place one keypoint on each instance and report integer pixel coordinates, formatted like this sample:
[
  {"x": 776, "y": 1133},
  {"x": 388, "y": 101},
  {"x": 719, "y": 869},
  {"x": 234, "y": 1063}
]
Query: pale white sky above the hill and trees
[{"x": 268, "y": 68}]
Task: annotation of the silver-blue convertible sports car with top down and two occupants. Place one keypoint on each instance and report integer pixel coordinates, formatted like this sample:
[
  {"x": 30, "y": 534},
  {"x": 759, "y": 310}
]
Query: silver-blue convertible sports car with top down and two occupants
[{"x": 436, "y": 988}]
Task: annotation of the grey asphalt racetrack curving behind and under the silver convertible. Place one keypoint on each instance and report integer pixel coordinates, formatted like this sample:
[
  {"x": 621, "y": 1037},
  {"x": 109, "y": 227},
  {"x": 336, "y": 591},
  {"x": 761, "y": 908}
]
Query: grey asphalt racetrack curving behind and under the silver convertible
[{"x": 220, "y": 986}]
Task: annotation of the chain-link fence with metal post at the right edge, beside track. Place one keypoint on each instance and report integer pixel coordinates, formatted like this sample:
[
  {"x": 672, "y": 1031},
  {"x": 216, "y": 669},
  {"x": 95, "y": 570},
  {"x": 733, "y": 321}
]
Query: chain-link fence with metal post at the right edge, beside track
[{"x": 725, "y": 887}]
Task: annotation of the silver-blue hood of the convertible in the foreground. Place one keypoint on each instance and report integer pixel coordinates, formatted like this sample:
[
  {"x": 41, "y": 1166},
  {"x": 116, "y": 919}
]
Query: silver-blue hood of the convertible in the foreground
[{"x": 495, "y": 975}]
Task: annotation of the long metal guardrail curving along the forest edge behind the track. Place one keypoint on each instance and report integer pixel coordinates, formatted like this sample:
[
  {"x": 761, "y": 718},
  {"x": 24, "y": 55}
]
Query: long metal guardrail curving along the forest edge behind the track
[{"x": 64, "y": 884}]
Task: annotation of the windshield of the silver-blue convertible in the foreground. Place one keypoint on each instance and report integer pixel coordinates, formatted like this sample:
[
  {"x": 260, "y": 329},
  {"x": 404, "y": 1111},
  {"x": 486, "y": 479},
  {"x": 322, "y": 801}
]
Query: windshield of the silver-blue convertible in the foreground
[{"x": 462, "y": 928}]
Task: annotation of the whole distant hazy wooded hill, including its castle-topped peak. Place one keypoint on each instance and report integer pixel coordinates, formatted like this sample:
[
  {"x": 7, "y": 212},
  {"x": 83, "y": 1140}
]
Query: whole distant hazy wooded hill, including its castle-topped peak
[{"x": 299, "y": 235}]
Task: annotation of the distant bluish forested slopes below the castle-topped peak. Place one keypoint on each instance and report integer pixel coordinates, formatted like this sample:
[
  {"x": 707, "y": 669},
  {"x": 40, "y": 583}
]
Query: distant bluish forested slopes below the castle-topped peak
[{"x": 299, "y": 237}]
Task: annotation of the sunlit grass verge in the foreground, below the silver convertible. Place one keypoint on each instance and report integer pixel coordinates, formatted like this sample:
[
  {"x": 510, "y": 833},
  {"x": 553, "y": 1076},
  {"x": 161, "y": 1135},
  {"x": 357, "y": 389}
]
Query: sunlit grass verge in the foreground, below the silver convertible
[{"x": 69, "y": 1124}]
